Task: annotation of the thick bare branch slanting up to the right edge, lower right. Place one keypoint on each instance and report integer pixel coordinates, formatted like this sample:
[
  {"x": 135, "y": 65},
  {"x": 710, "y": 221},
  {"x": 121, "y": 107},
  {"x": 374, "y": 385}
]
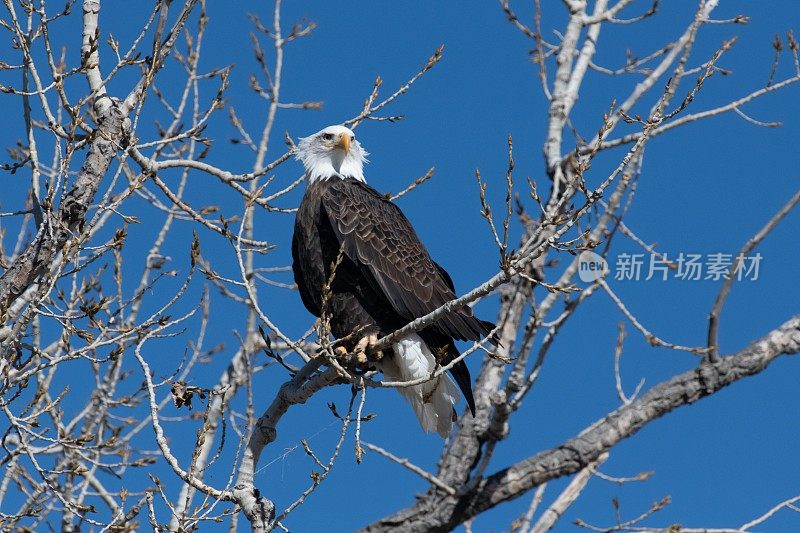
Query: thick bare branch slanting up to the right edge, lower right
[{"x": 440, "y": 512}]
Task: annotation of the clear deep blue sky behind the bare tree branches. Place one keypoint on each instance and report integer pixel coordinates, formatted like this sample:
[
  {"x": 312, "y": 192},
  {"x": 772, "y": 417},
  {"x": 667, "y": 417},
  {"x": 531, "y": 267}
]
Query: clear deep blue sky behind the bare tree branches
[{"x": 705, "y": 188}]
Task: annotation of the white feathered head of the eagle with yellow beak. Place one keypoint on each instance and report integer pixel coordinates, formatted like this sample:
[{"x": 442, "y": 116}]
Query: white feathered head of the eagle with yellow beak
[{"x": 332, "y": 152}]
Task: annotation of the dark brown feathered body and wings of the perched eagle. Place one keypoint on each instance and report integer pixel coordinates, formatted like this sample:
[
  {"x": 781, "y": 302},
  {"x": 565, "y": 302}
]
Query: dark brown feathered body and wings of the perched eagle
[{"x": 386, "y": 277}]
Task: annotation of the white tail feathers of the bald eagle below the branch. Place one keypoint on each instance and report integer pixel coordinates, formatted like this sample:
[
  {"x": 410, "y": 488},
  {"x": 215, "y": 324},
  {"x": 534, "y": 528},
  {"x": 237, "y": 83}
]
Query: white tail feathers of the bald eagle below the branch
[{"x": 432, "y": 401}]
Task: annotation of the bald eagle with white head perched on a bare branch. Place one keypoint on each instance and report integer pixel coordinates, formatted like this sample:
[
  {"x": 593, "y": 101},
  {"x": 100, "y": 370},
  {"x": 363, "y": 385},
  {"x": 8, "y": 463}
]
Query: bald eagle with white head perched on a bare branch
[{"x": 385, "y": 278}]
